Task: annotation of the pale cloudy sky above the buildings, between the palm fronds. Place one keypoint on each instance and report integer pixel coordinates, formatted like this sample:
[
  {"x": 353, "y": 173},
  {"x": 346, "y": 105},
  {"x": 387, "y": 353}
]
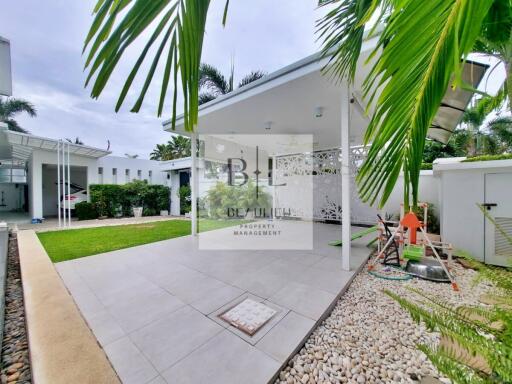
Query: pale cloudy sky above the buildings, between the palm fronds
[{"x": 46, "y": 44}]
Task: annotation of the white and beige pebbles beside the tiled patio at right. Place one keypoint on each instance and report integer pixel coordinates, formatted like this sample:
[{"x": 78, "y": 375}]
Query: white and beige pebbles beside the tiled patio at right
[{"x": 368, "y": 338}]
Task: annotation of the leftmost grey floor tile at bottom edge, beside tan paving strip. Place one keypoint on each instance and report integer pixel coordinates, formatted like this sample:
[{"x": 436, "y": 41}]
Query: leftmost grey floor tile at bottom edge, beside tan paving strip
[{"x": 129, "y": 363}]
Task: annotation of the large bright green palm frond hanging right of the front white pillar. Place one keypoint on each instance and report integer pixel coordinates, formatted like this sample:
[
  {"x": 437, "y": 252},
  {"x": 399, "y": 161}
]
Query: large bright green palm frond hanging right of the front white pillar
[{"x": 407, "y": 98}]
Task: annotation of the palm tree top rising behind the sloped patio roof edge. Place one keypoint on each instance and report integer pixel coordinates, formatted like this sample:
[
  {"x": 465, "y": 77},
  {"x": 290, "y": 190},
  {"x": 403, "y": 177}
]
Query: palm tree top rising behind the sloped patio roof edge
[{"x": 216, "y": 84}]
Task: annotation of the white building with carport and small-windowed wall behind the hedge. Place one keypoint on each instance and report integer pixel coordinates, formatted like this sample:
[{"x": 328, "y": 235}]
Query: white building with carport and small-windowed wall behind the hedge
[{"x": 28, "y": 173}]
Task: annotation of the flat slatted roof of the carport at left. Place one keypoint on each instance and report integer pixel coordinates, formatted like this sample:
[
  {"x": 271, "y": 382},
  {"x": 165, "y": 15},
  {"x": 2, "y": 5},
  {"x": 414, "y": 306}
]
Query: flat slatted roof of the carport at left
[{"x": 19, "y": 146}]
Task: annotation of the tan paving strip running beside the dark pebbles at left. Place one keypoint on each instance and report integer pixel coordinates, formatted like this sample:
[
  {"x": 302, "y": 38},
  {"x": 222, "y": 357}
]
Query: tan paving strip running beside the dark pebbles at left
[{"x": 61, "y": 345}]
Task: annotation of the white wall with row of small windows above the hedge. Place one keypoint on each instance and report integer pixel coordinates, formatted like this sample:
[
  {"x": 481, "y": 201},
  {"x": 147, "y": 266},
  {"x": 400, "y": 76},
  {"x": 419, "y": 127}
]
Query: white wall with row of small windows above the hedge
[{"x": 134, "y": 165}]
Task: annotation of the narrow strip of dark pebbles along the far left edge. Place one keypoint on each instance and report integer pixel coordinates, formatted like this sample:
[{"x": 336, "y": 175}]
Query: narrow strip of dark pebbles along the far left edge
[{"x": 15, "y": 356}]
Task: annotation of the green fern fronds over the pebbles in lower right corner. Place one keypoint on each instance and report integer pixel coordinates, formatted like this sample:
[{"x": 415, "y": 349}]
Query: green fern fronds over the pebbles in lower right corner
[{"x": 476, "y": 341}]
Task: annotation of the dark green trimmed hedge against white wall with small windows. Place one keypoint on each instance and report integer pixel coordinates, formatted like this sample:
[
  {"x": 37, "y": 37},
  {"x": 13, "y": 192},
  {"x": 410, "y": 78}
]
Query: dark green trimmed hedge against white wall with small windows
[{"x": 114, "y": 200}]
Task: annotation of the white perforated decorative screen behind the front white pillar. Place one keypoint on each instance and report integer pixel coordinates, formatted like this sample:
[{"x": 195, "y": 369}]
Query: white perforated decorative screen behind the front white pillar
[{"x": 325, "y": 167}]
